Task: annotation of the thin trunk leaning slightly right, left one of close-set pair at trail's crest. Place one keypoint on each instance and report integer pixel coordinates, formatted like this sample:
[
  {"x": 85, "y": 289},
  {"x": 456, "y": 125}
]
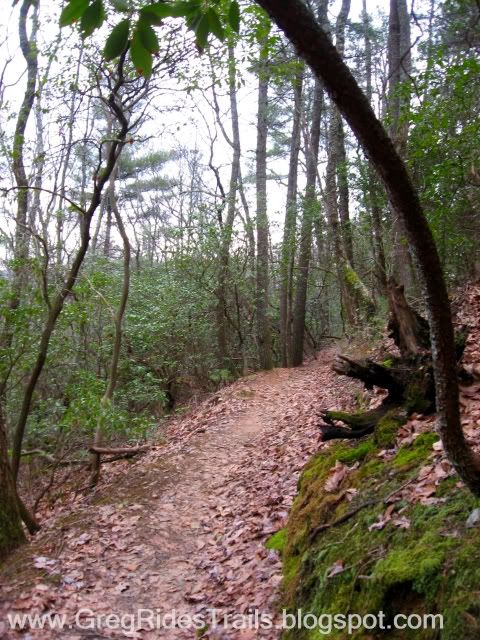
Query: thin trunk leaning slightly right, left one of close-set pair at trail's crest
[{"x": 288, "y": 244}]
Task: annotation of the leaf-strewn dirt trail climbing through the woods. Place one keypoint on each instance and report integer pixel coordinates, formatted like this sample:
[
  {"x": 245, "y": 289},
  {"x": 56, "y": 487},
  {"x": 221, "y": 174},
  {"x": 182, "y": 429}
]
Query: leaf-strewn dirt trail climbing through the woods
[{"x": 183, "y": 529}]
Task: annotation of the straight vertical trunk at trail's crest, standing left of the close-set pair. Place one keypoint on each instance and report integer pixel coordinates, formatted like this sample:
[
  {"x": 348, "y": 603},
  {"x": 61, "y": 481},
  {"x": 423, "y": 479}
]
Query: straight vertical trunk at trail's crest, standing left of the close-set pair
[{"x": 263, "y": 320}]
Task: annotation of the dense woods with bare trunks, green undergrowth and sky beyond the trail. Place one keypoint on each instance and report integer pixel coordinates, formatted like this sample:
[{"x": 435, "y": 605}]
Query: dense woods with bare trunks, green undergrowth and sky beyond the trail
[{"x": 171, "y": 222}]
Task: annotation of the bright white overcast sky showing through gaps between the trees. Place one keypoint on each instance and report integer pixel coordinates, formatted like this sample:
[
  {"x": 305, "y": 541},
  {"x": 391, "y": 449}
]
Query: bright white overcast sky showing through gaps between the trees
[{"x": 186, "y": 127}]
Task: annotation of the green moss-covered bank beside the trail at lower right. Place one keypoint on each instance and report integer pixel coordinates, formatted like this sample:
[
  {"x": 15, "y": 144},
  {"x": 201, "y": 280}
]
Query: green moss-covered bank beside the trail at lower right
[{"x": 433, "y": 566}]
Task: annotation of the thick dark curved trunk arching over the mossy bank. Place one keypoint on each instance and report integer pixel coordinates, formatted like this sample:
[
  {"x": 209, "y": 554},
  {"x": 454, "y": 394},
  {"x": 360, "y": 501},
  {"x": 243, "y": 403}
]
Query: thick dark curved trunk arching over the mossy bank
[{"x": 300, "y": 26}]
